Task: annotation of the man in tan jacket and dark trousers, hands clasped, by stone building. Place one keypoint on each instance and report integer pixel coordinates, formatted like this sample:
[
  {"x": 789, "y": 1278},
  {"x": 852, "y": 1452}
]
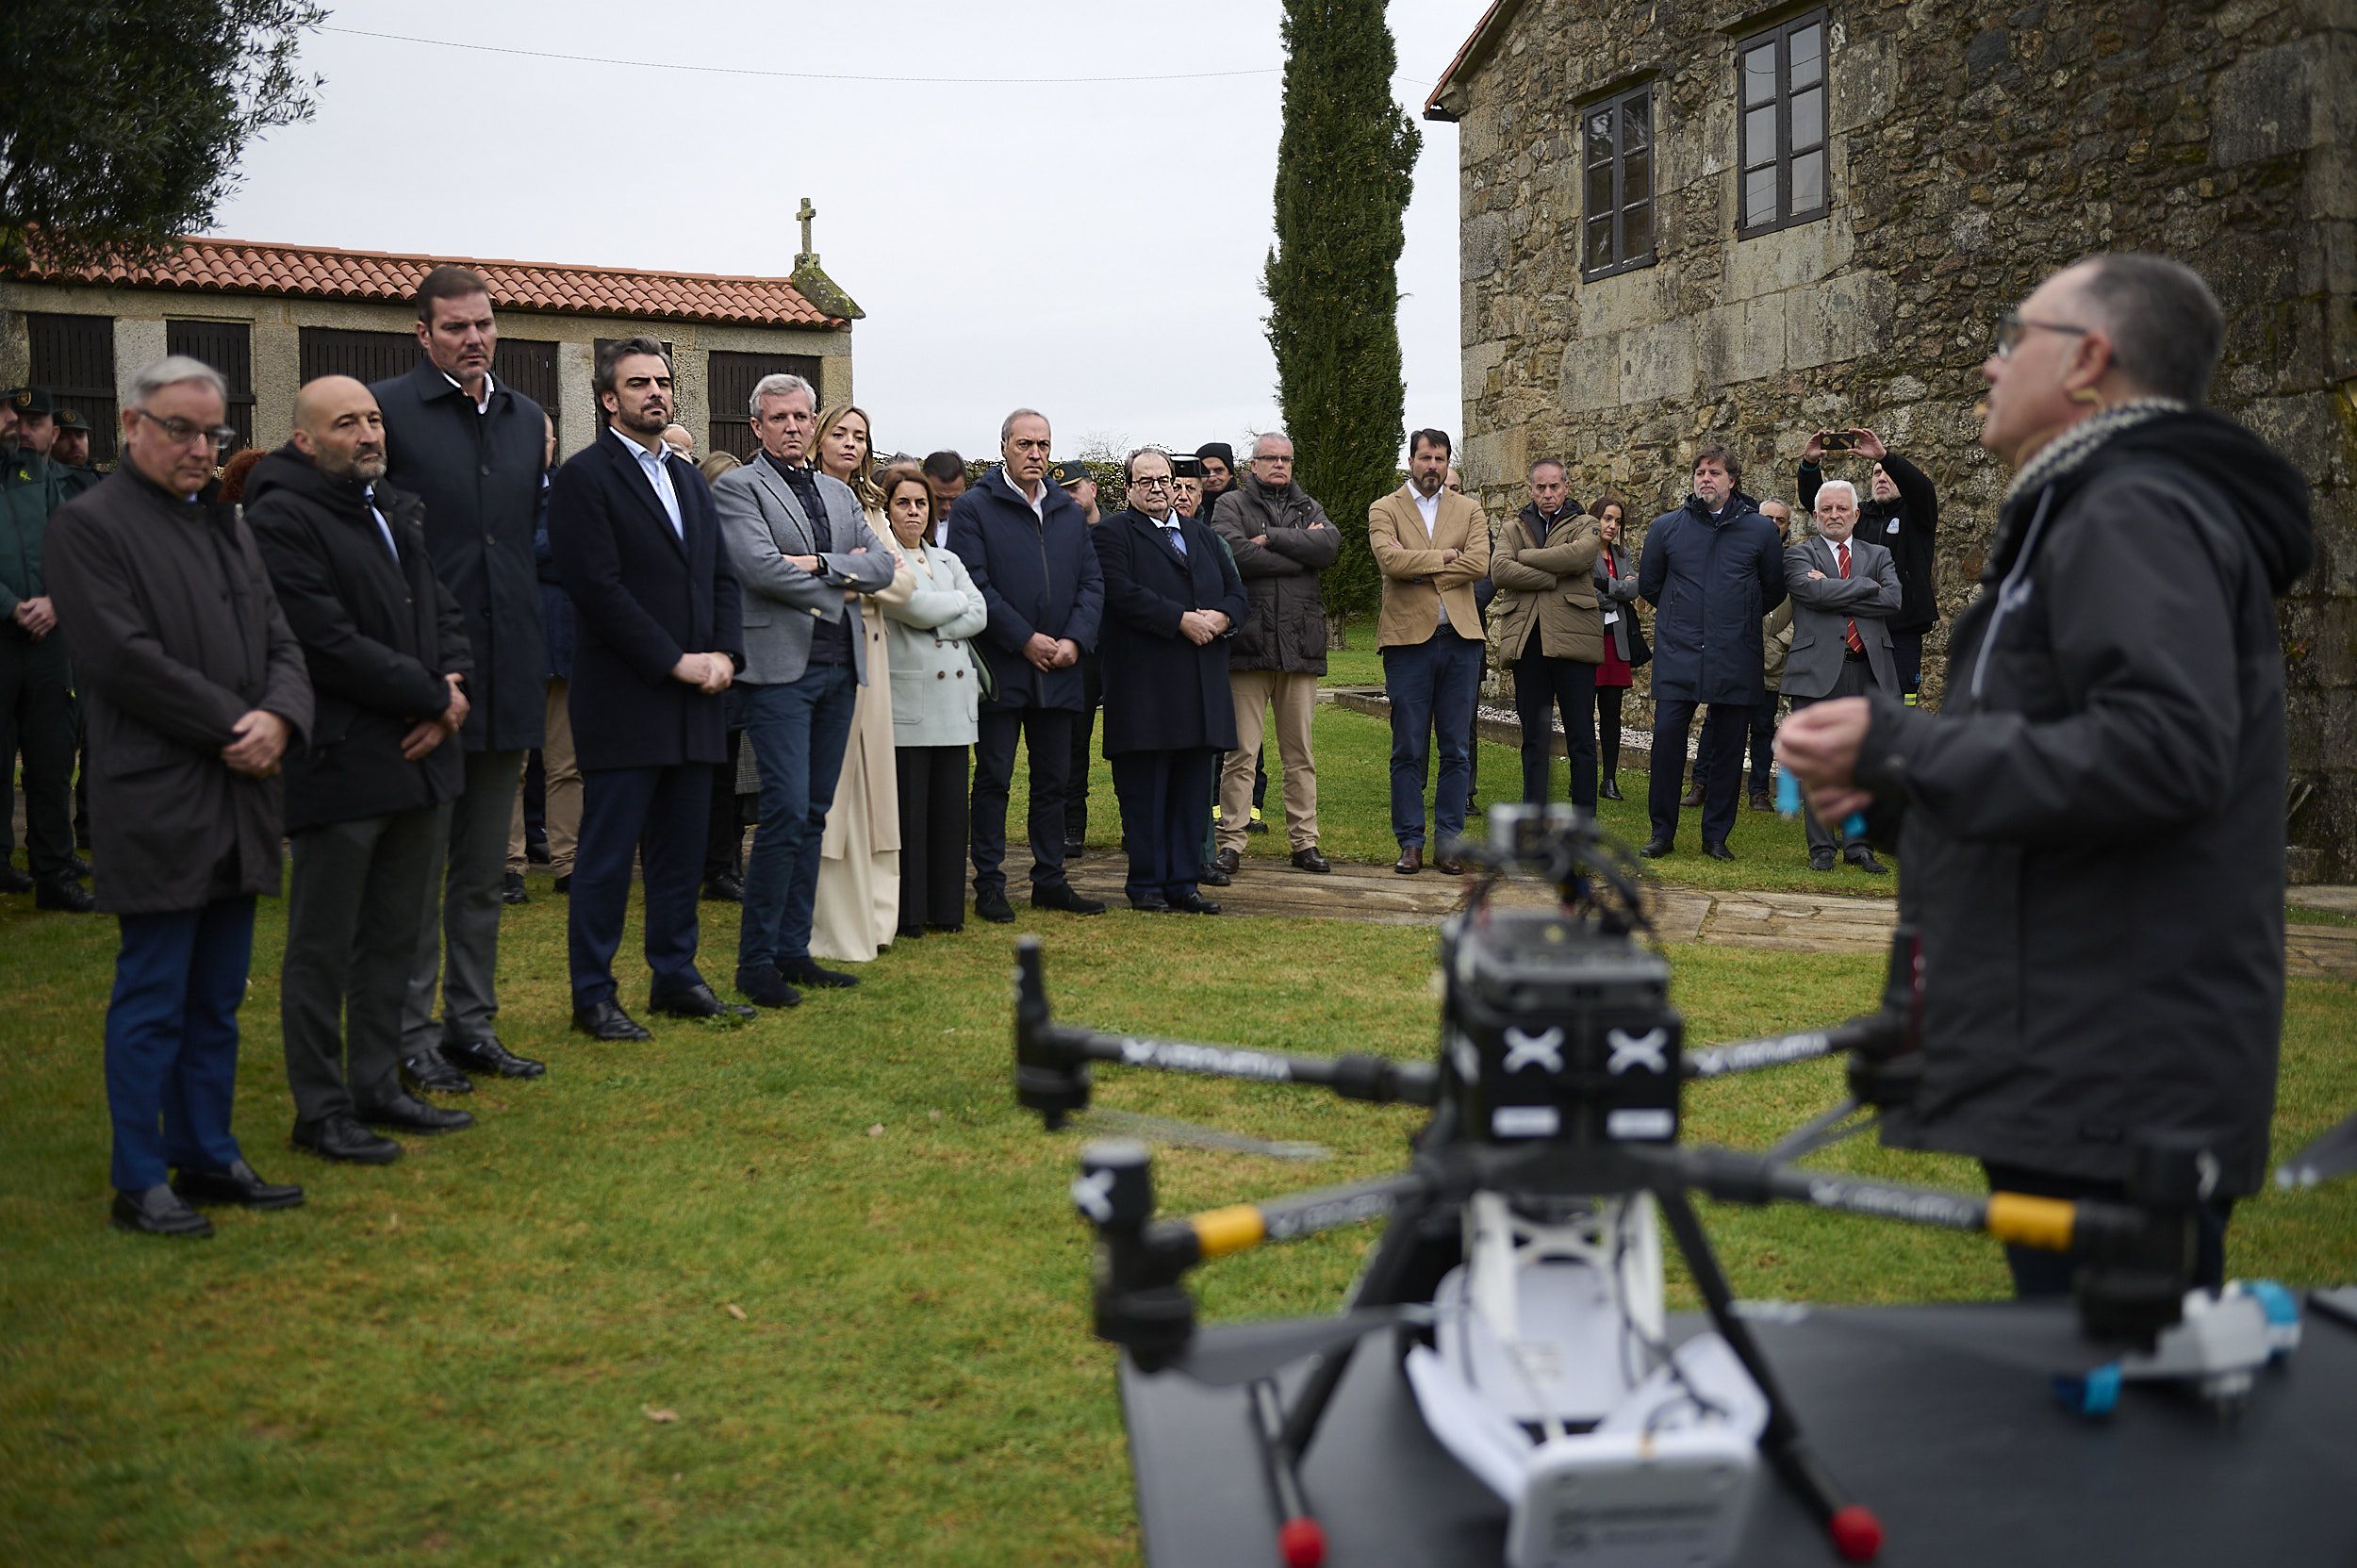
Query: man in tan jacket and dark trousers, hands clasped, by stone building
[{"x": 1552, "y": 635}]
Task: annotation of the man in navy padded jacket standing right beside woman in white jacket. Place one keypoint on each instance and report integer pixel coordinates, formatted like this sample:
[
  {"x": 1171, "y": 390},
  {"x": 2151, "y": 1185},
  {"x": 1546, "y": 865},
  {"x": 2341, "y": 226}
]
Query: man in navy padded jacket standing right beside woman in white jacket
[{"x": 1029, "y": 551}]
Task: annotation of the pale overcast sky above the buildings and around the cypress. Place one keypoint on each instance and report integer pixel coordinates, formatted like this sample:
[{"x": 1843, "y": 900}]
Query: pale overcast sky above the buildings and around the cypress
[{"x": 1088, "y": 244}]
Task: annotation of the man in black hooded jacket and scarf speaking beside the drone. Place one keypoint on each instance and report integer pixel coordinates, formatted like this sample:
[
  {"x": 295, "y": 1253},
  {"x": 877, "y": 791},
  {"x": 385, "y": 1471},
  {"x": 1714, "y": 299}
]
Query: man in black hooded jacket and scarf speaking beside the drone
[{"x": 2094, "y": 822}]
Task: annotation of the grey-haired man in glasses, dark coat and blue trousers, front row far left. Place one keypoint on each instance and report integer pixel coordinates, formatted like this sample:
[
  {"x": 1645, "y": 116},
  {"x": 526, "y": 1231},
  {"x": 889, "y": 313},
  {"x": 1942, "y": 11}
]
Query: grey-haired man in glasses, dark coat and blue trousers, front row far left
[{"x": 194, "y": 690}]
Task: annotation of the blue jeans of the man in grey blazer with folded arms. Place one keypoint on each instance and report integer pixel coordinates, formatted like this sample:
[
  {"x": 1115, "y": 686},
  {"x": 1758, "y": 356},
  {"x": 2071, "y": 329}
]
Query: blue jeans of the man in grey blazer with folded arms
[{"x": 798, "y": 734}]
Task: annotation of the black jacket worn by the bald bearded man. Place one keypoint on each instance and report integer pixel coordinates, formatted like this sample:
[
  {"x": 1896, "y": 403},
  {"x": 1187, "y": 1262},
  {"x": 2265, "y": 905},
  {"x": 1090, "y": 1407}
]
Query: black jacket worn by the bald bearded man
[{"x": 378, "y": 638}]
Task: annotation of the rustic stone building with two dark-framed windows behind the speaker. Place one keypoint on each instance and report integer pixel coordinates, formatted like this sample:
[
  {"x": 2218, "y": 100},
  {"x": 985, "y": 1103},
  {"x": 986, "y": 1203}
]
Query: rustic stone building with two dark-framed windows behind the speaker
[{"x": 1717, "y": 218}]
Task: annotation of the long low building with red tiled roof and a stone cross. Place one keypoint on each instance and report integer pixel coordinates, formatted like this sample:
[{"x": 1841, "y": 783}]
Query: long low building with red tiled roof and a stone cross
[{"x": 272, "y": 317}]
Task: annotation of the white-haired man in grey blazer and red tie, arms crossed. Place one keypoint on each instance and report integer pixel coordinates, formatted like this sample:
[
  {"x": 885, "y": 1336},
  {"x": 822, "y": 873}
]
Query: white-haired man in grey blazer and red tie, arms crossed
[{"x": 1842, "y": 593}]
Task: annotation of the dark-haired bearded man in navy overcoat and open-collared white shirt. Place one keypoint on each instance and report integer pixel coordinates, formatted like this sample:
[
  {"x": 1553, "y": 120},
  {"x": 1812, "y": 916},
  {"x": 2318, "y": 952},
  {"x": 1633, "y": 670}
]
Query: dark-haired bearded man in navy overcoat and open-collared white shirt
[{"x": 656, "y": 640}]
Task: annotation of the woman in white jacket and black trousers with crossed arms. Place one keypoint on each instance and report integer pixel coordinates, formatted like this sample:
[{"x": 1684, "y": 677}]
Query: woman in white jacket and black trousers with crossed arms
[{"x": 935, "y": 701}]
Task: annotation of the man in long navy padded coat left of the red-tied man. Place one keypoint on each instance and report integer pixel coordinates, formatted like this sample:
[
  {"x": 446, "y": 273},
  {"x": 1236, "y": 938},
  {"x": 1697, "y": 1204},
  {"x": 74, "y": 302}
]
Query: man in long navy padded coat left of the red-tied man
[{"x": 1712, "y": 569}]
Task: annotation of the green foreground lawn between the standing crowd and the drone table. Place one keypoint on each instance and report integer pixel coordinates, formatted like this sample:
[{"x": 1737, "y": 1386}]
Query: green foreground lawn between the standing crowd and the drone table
[{"x": 805, "y": 1291}]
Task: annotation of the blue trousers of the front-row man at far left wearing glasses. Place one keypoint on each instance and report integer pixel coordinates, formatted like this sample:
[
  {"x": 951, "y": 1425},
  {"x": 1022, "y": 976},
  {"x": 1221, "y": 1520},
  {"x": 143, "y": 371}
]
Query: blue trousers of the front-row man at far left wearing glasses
[{"x": 173, "y": 1041}]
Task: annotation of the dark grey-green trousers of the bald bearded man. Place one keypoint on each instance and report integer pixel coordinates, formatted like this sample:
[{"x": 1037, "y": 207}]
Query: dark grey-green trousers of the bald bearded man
[{"x": 355, "y": 907}]
